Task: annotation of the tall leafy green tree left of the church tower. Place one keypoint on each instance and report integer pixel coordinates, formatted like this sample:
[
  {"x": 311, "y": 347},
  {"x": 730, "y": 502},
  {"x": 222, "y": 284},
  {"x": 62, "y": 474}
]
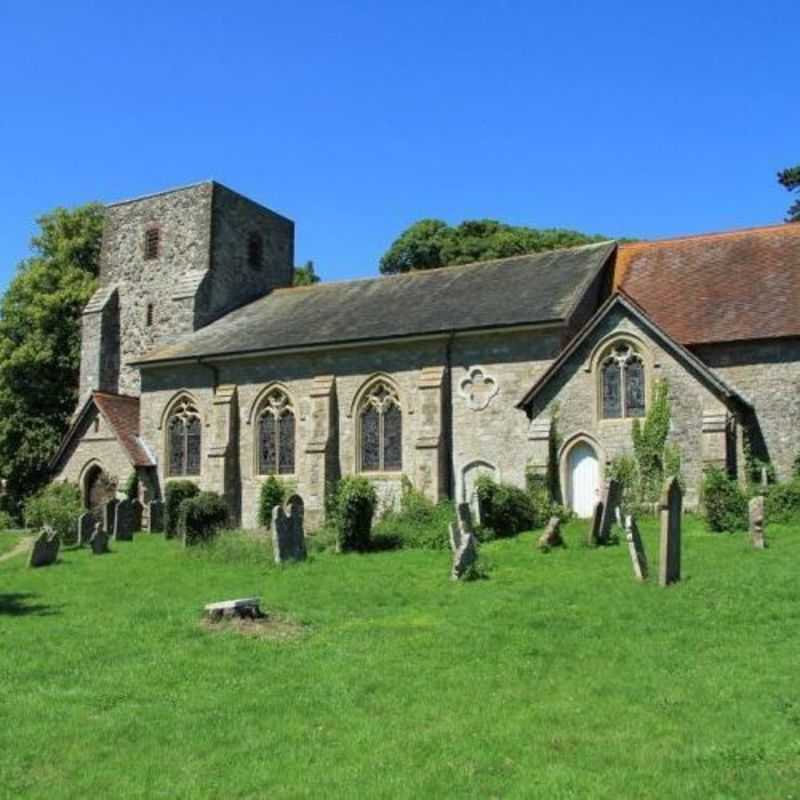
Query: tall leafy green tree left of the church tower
[{"x": 40, "y": 344}]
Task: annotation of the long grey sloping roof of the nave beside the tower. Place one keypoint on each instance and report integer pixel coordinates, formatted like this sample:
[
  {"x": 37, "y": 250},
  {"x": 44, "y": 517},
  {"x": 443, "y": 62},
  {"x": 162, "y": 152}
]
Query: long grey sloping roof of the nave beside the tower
[{"x": 536, "y": 288}]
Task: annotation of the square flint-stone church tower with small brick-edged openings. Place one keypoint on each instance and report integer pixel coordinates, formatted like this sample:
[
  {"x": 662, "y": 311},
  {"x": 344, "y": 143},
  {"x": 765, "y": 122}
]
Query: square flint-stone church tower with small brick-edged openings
[{"x": 171, "y": 263}]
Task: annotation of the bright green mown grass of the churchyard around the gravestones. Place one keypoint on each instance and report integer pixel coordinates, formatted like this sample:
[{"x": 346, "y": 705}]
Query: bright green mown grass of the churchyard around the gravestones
[{"x": 557, "y": 677}]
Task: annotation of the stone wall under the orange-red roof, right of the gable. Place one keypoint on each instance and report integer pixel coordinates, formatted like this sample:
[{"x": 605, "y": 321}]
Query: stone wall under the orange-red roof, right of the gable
[{"x": 767, "y": 373}]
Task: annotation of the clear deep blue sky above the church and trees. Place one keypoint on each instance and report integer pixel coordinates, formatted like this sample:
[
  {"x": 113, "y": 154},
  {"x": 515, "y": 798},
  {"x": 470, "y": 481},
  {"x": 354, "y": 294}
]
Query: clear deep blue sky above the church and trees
[{"x": 356, "y": 119}]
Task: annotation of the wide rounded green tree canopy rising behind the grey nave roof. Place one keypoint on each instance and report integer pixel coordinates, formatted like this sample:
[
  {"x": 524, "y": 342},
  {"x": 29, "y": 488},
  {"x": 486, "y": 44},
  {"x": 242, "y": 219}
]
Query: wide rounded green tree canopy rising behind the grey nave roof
[{"x": 432, "y": 243}]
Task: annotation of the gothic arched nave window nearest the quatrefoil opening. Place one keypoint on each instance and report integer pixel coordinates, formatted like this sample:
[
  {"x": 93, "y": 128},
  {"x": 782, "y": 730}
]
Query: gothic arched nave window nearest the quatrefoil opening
[{"x": 381, "y": 433}]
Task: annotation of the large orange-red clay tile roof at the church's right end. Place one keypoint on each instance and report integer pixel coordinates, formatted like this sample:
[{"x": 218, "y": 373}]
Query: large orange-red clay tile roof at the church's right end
[{"x": 717, "y": 287}]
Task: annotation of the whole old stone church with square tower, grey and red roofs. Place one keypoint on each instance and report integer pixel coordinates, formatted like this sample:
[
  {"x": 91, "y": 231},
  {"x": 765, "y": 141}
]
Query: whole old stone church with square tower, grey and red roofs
[{"x": 200, "y": 361}]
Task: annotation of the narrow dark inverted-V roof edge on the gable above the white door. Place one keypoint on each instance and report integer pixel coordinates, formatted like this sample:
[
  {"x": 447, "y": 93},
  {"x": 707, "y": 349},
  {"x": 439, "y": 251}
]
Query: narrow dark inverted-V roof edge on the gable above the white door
[{"x": 705, "y": 373}]
